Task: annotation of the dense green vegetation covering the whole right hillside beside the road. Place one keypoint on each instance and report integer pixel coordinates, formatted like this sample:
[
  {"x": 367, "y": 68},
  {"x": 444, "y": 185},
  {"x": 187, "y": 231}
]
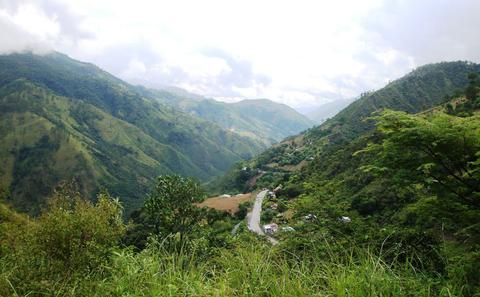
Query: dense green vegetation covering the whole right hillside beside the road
[{"x": 402, "y": 186}]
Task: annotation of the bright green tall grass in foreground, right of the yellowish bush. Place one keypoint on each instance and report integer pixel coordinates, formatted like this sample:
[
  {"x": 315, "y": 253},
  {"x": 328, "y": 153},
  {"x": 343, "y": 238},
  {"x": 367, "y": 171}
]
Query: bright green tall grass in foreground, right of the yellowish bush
[{"x": 257, "y": 270}]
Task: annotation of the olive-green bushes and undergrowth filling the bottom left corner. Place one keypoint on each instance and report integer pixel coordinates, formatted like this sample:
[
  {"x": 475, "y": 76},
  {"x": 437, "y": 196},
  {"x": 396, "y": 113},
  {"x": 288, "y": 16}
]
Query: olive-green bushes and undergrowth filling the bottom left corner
[{"x": 68, "y": 243}]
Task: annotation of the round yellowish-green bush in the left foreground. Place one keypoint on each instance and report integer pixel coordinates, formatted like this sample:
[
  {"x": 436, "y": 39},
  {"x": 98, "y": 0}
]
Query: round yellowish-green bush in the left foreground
[{"x": 77, "y": 234}]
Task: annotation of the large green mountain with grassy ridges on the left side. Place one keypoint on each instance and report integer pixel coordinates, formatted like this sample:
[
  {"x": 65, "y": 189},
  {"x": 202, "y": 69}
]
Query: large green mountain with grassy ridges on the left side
[{"x": 64, "y": 119}]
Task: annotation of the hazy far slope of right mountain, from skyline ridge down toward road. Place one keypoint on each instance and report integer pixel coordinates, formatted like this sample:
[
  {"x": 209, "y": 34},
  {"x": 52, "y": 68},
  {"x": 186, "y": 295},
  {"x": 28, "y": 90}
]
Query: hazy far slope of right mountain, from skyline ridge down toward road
[{"x": 422, "y": 89}]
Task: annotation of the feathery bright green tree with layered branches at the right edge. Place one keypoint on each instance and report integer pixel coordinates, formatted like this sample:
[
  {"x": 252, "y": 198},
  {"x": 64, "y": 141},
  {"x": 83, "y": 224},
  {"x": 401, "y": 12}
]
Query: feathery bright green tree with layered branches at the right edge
[{"x": 440, "y": 151}]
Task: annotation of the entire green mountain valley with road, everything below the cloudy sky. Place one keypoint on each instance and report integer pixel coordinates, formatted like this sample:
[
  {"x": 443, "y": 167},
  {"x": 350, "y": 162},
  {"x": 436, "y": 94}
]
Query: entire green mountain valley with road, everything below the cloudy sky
[{"x": 387, "y": 188}]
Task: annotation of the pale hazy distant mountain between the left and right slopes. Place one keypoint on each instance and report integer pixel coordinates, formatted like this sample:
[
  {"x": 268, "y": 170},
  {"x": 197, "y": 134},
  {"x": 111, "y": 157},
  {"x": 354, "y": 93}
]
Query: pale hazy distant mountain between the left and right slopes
[{"x": 260, "y": 119}]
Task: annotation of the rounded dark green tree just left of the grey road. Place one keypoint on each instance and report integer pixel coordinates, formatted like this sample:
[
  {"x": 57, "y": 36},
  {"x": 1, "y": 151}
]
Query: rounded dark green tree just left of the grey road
[{"x": 171, "y": 206}]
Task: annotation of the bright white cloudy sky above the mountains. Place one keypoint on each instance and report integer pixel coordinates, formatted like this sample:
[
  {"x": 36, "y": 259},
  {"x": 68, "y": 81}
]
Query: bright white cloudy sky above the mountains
[{"x": 301, "y": 53}]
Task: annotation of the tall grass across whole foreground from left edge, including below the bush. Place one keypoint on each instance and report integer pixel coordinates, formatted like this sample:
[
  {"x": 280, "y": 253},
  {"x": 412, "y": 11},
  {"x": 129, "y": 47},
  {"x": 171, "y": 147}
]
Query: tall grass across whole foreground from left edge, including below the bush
[{"x": 251, "y": 268}]
